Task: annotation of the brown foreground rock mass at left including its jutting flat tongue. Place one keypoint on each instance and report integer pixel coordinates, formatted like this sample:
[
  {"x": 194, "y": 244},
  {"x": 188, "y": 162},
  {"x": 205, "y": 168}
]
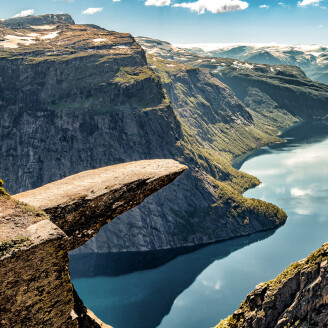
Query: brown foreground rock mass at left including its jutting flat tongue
[{"x": 36, "y": 290}]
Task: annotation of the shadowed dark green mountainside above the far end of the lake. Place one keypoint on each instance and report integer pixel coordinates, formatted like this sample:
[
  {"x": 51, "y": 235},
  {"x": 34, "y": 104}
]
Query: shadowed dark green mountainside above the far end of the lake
[{"x": 288, "y": 88}]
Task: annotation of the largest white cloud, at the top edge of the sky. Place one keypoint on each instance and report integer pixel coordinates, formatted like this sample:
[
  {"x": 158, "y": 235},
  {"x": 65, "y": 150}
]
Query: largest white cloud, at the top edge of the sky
[{"x": 213, "y": 6}]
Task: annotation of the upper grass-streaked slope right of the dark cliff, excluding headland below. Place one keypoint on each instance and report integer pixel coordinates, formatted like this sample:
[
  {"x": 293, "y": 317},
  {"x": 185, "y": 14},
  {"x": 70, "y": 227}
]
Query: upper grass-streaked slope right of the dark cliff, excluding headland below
[{"x": 210, "y": 112}]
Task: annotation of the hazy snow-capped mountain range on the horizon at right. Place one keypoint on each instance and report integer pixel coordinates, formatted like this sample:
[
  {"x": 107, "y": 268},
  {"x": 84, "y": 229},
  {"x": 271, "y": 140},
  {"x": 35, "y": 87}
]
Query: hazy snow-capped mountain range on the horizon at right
[{"x": 313, "y": 60}]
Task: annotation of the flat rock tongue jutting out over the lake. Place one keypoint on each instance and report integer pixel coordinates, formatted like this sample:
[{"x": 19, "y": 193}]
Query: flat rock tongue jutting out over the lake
[{"x": 82, "y": 203}]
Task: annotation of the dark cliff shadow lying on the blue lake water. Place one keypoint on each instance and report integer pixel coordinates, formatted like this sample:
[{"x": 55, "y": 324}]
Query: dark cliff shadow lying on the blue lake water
[{"x": 110, "y": 285}]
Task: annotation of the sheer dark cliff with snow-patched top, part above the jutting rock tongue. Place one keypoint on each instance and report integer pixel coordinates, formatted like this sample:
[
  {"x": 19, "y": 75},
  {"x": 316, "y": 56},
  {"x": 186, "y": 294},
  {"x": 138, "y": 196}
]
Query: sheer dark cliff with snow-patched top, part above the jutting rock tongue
[{"x": 72, "y": 87}]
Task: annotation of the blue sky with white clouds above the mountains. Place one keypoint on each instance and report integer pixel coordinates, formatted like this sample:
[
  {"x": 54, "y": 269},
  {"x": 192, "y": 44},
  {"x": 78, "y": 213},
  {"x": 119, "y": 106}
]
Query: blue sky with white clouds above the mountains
[{"x": 194, "y": 21}]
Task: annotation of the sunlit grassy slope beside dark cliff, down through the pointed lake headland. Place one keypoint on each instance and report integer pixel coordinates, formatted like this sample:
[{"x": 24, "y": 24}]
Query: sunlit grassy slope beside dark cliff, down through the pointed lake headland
[{"x": 216, "y": 128}]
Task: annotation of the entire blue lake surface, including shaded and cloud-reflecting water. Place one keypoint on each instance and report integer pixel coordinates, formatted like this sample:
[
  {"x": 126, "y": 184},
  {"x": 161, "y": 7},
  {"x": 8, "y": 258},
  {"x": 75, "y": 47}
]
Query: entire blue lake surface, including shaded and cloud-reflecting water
[{"x": 197, "y": 289}]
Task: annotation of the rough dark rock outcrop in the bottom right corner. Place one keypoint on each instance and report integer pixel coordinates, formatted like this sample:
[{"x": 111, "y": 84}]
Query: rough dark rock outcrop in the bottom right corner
[{"x": 298, "y": 297}]
